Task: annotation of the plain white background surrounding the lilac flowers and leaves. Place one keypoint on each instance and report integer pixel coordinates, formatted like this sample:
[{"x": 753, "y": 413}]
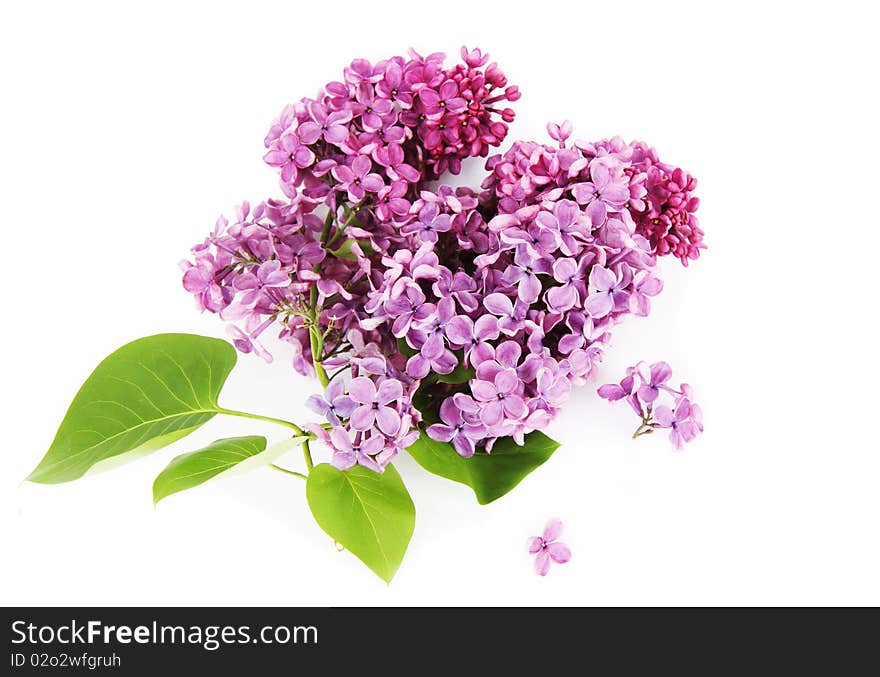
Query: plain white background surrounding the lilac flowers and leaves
[{"x": 126, "y": 131}]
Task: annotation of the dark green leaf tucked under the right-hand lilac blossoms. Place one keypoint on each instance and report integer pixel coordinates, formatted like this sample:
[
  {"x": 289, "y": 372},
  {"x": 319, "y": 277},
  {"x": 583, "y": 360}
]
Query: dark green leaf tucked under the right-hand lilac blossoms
[{"x": 489, "y": 475}]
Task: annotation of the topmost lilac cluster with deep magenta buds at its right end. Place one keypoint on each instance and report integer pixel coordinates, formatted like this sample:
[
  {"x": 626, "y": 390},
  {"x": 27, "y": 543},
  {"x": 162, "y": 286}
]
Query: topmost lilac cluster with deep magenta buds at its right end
[{"x": 390, "y": 125}]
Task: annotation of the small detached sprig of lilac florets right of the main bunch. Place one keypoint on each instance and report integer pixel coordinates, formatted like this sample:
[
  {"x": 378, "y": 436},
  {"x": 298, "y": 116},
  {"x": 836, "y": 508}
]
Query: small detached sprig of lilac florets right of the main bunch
[{"x": 642, "y": 387}]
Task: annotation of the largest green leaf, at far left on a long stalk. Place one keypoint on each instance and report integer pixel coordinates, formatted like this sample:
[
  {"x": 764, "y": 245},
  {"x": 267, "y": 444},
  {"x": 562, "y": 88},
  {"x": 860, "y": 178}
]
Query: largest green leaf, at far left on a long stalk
[{"x": 146, "y": 395}]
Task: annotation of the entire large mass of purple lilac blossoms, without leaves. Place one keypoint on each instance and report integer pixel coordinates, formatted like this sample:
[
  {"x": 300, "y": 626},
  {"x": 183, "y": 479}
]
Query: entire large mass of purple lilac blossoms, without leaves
[{"x": 471, "y": 314}]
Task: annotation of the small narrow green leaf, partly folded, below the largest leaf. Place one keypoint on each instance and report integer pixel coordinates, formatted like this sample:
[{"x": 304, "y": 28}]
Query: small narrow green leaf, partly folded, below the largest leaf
[{"x": 190, "y": 470}]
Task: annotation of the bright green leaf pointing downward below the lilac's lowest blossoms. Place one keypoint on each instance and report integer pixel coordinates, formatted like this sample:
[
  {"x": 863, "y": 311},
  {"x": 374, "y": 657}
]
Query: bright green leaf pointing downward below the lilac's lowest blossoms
[{"x": 369, "y": 513}]
